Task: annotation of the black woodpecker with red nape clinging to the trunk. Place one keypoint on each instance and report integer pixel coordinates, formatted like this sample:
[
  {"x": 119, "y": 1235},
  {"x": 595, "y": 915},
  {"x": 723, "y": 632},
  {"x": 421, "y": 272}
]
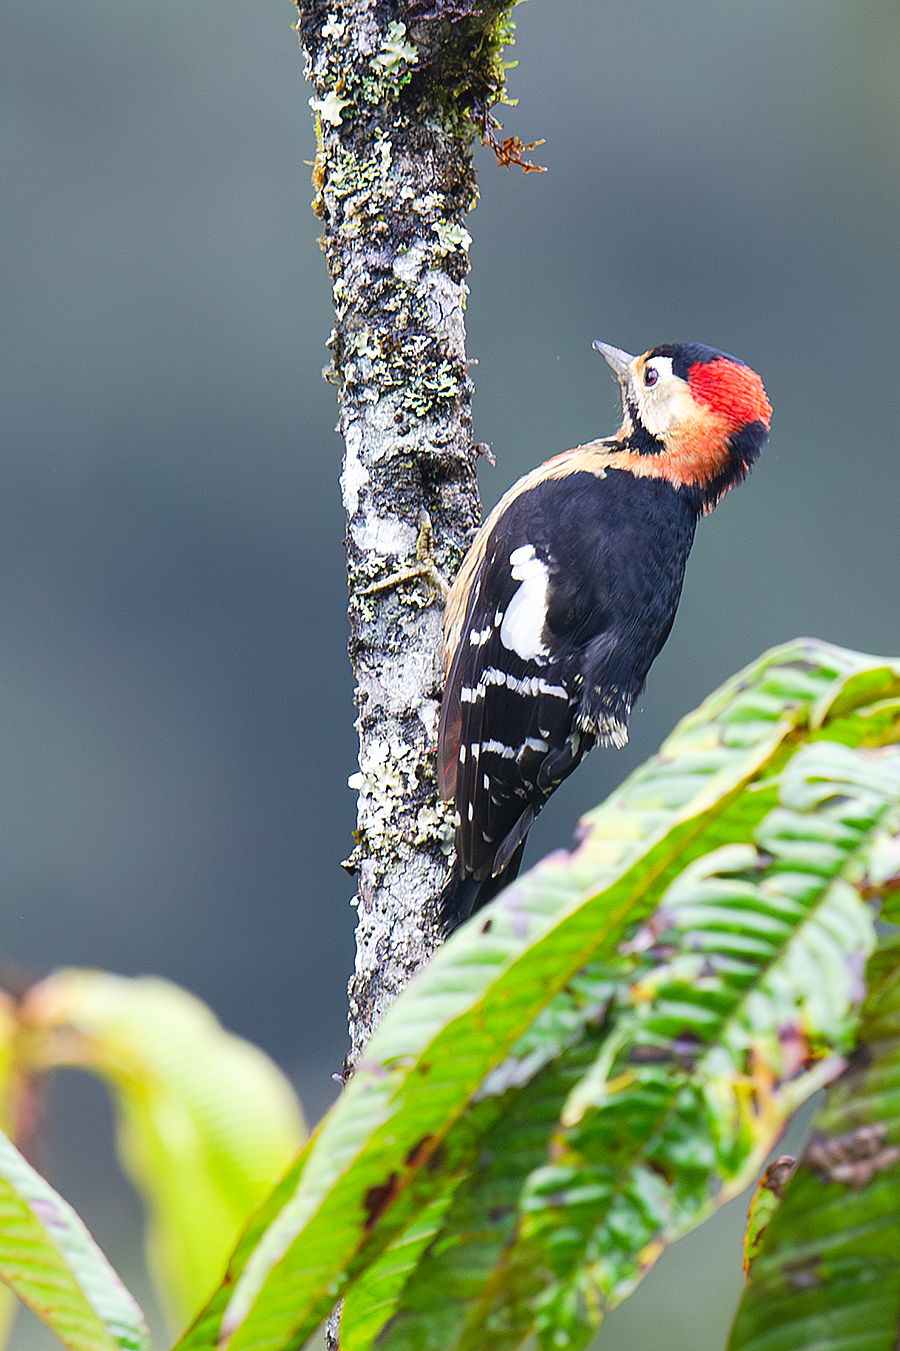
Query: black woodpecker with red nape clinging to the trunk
[{"x": 568, "y": 594}]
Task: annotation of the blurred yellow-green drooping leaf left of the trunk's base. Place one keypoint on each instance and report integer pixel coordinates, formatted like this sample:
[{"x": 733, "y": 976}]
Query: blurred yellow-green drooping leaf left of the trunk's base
[{"x": 205, "y": 1122}]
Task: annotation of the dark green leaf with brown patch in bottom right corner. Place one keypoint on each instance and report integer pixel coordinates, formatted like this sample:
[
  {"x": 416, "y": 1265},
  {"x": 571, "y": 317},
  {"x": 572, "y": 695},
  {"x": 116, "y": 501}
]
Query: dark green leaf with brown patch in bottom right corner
[{"x": 828, "y": 1277}]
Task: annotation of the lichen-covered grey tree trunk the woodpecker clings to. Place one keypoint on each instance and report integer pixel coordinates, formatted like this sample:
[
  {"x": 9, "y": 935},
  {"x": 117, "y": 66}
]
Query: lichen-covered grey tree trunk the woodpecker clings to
[{"x": 401, "y": 91}]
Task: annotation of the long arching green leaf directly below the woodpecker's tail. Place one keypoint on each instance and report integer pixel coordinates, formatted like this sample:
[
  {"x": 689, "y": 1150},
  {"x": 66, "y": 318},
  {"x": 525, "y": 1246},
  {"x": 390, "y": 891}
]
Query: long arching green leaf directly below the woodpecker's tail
[{"x": 376, "y": 1163}]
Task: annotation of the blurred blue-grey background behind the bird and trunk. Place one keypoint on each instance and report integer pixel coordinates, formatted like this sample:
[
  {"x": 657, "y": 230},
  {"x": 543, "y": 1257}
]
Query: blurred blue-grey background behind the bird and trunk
[{"x": 175, "y": 696}]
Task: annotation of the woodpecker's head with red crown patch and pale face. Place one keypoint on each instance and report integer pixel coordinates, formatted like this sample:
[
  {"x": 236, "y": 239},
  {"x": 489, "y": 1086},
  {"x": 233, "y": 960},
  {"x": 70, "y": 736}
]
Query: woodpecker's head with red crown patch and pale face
[{"x": 693, "y": 415}]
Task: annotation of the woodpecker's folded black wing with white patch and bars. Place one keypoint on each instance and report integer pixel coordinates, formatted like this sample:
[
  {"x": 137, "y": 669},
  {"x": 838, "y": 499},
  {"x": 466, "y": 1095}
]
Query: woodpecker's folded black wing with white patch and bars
[{"x": 507, "y": 733}]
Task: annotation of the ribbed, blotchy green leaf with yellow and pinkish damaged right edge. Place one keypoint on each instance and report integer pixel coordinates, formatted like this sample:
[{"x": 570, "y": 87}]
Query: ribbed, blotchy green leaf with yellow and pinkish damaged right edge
[{"x": 749, "y": 969}]
